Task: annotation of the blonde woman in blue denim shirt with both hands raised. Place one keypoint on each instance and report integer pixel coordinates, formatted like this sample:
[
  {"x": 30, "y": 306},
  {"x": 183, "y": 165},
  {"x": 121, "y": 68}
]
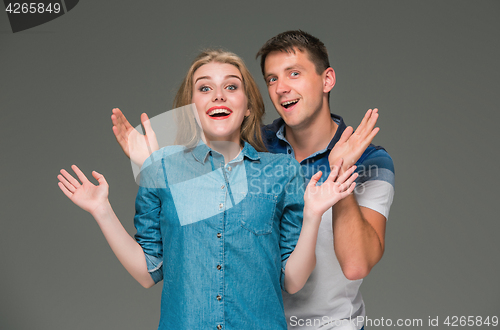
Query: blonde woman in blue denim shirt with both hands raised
[{"x": 223, "y": 224}]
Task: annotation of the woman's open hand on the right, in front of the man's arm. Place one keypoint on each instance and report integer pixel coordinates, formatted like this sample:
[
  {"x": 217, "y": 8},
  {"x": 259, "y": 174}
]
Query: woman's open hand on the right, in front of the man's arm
[{"x": 318, "y": 199}]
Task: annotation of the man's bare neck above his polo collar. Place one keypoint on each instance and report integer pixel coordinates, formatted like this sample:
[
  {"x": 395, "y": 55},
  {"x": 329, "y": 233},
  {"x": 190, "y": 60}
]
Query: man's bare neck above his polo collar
[{"x": 313, "y": 137}]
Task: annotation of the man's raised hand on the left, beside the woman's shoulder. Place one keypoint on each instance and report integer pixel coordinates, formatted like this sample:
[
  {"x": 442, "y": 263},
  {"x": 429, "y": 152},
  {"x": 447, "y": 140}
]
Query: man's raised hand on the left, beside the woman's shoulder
[{"x": 136, "y": 146}]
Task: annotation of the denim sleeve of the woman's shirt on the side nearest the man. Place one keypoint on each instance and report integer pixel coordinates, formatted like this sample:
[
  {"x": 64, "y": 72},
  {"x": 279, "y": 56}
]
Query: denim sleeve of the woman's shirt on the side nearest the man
[{"x": 291, "y": 220}]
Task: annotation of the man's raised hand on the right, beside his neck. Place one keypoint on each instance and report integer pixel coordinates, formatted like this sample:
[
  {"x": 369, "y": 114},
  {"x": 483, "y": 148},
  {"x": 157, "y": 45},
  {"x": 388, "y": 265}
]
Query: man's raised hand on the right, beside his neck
[{"x": 352, "y": 145}]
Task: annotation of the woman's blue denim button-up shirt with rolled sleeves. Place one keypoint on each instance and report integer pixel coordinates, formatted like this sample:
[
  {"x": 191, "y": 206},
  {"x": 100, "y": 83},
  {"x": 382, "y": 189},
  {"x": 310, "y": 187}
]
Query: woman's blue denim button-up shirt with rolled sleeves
[{"x": 219, "y": 235}]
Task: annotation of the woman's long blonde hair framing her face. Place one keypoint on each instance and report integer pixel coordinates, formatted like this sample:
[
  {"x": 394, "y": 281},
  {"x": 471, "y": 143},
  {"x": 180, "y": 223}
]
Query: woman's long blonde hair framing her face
[{"x": 189, "y": 132}]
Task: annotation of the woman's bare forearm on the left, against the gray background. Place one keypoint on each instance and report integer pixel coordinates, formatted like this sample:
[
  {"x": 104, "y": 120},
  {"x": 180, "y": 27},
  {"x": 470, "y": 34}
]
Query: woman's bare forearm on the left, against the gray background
[{"x": 126, "y": 249}]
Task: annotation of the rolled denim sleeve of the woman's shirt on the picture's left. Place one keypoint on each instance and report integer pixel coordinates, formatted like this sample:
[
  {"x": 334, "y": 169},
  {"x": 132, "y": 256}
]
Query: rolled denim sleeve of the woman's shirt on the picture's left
[{"x": 147, "y": 217}]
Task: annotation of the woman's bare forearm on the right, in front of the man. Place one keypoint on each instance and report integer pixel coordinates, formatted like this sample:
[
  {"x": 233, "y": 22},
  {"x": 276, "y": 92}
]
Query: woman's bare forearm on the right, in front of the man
[{"x": 302, "y": 261}]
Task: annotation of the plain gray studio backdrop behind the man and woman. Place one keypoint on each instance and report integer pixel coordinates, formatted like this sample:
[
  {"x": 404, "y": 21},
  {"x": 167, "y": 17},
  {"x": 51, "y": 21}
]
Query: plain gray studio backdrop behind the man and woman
[{"x": 431, "y": 67}]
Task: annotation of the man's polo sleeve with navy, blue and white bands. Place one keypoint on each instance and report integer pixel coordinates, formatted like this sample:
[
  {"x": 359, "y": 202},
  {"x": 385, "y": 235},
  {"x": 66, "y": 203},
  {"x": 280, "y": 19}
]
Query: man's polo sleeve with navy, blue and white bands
[{"x": 375, "y": 183}]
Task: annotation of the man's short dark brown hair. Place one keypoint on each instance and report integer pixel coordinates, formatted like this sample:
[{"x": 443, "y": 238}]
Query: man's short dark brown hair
[{"x": 288, "y": 41}]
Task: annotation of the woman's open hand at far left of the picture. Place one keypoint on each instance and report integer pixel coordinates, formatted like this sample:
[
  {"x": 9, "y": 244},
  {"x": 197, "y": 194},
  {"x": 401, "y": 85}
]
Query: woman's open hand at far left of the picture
[{"x": 85, "y": 194}]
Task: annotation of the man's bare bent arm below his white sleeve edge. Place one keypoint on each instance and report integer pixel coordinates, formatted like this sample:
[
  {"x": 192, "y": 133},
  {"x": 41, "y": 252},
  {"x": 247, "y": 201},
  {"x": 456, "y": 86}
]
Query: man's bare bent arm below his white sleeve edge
[{"x": 357, "y": 244}]
